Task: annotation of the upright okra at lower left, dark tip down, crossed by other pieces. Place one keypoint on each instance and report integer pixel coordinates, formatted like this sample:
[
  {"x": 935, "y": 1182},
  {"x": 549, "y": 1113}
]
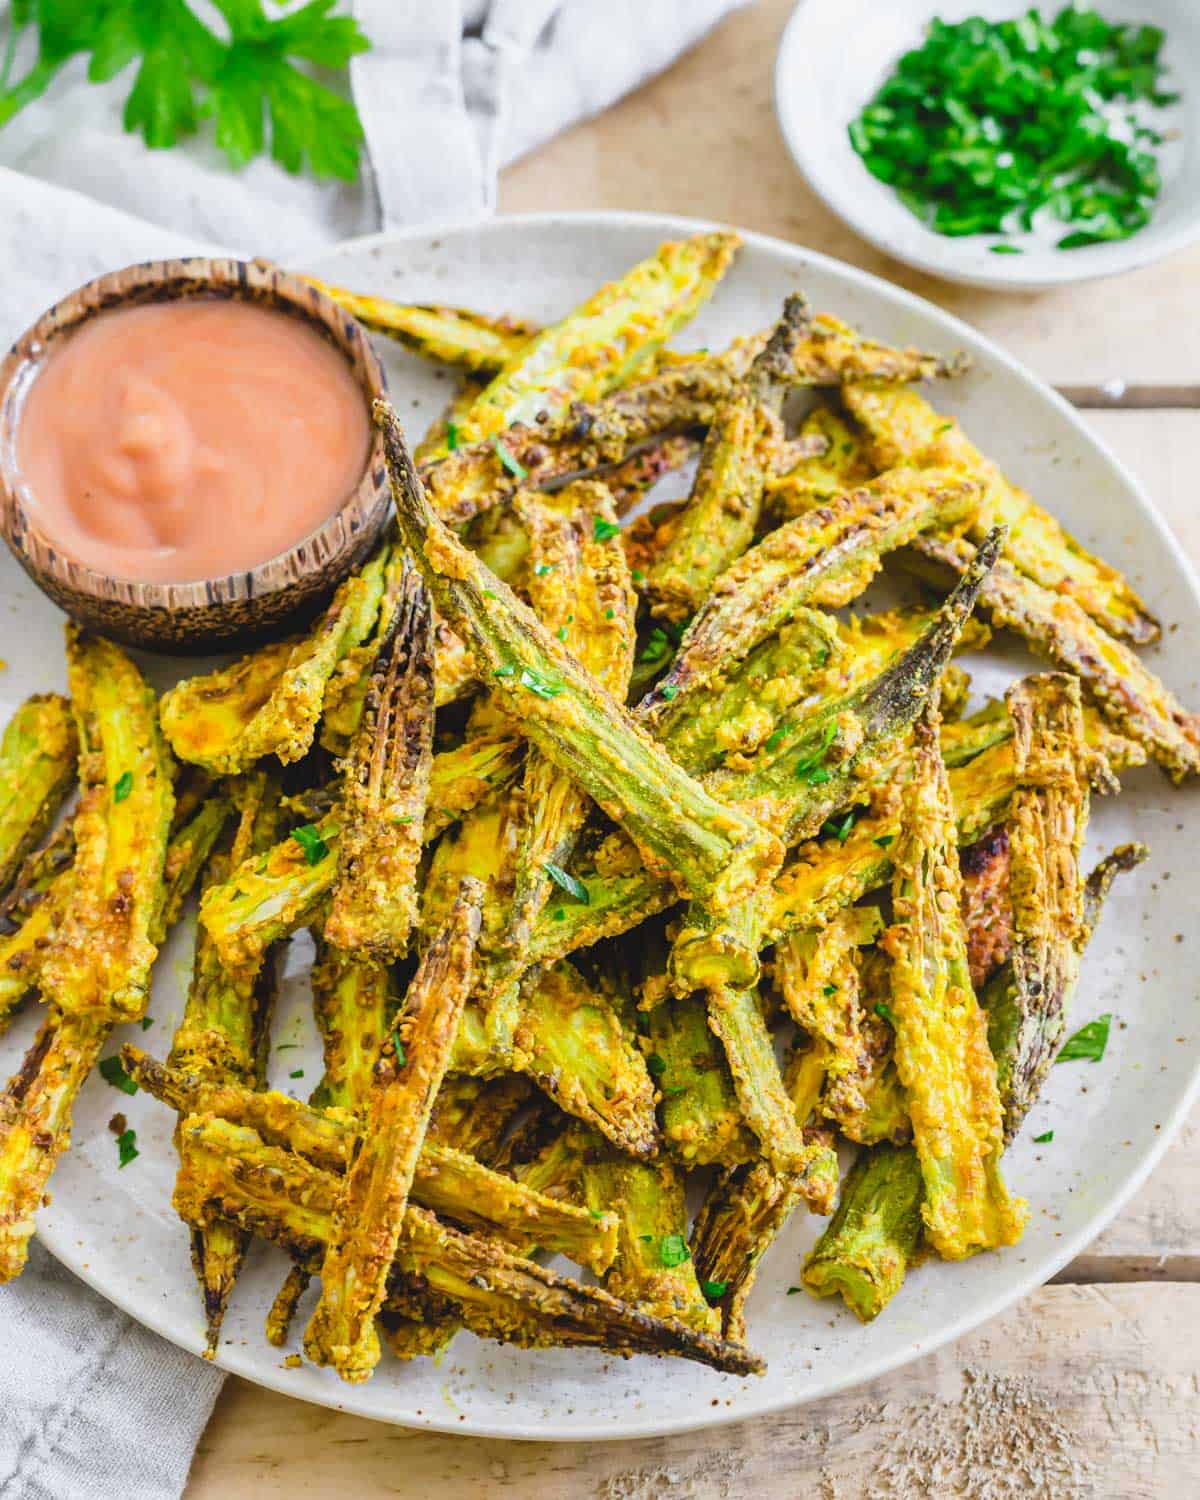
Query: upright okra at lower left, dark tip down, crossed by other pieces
[{"x": 223, "y": 1039}]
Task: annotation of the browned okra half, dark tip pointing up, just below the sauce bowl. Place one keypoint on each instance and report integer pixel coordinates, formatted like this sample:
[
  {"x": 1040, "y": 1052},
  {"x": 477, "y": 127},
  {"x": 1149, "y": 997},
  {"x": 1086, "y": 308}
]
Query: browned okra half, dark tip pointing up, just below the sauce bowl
[{"x": 385, "y": 790}]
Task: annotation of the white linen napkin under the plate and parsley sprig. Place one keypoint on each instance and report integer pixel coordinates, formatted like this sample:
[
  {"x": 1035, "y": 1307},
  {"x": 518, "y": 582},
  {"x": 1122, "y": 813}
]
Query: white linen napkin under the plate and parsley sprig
[{"x": 94, "y": 1406}]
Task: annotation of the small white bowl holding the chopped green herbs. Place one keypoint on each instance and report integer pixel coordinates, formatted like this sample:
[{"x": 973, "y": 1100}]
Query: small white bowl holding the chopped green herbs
[{"x": 835, "y": 56}]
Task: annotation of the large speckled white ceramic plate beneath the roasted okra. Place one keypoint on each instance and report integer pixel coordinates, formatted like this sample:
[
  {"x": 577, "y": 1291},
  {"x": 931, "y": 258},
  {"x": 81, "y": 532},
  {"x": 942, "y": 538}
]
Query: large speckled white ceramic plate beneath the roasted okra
[{"x": 1112, "y": 1121}]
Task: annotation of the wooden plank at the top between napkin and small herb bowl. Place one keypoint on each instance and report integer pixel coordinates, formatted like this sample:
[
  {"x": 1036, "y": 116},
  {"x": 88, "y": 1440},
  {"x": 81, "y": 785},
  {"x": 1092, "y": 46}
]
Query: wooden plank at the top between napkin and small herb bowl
[{"x": 703, "y": 140}]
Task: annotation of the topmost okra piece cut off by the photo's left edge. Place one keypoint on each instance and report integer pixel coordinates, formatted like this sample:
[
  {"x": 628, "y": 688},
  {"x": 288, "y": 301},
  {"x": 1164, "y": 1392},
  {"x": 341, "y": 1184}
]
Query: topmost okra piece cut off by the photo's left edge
[{"x": 38, "y": 757}]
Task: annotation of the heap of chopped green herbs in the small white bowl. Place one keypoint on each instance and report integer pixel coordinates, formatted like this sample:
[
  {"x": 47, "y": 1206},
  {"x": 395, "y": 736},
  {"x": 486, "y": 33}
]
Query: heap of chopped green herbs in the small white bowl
[{"x": 997, "y": 127}]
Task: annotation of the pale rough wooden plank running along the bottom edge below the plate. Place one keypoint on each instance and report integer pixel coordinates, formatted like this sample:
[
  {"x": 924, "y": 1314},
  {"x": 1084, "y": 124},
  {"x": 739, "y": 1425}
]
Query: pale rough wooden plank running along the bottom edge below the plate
[{"x": 1079, "y": 1393}]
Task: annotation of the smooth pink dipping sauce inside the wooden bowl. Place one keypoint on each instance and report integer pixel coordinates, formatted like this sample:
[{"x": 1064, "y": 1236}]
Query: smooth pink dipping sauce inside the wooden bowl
[{"x": 188, "y": 440}]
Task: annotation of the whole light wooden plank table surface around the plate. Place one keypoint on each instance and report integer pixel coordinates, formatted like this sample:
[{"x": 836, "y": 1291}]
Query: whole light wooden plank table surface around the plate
[{"x": 1090, "y": 1388}]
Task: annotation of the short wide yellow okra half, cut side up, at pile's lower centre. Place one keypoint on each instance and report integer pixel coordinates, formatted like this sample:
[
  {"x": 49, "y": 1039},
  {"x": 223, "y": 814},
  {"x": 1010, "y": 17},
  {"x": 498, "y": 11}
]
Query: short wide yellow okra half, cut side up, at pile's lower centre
[{"x": 571, "y": 1042}]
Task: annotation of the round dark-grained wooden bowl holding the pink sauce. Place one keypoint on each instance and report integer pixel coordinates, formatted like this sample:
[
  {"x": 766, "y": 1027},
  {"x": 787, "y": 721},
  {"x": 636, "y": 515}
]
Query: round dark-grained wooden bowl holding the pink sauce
[{"x": 218, "y": 613}]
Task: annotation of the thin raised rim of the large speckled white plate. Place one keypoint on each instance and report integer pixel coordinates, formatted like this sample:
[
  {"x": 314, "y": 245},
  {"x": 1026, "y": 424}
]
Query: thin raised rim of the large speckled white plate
[{"x": 944, "y": 326}]
